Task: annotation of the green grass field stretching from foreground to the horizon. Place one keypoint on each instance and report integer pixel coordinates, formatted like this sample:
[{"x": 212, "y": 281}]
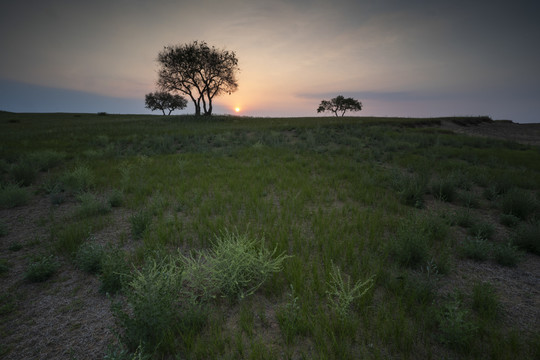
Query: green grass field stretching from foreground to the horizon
[{"x": 130, "y": 237}]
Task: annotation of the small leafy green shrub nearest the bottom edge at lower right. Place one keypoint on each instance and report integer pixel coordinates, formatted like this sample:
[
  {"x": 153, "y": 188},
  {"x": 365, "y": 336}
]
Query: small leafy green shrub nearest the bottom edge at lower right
[{"x": 455, "y": 328}]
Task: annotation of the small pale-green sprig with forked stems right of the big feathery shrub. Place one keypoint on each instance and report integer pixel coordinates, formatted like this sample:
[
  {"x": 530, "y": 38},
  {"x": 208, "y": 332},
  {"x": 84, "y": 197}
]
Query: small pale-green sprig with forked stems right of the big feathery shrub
[{"x": 341, "y": 294}]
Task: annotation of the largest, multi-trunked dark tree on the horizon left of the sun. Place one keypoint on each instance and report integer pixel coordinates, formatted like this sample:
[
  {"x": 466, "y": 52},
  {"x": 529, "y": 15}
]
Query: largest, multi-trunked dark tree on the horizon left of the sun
[{"x": 199, "y": 71}]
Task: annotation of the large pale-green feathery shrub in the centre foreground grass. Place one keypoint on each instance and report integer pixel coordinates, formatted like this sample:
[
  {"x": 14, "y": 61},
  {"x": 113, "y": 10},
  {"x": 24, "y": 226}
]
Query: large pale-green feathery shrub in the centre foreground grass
[{"x": 235, "y": 267}]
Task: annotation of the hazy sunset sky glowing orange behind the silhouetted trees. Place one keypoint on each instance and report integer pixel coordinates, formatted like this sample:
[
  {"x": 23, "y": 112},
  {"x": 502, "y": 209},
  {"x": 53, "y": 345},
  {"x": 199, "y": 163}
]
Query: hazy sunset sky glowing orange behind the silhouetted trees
[{"x": 399, "y": 58}]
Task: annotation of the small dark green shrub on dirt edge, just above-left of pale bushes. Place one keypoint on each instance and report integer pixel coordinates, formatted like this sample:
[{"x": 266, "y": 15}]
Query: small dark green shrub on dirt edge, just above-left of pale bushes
[{"x": 114, "y": 271}]
